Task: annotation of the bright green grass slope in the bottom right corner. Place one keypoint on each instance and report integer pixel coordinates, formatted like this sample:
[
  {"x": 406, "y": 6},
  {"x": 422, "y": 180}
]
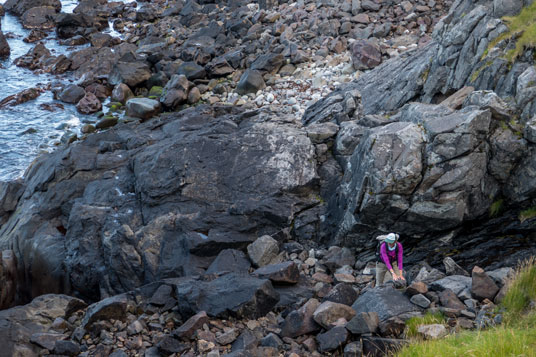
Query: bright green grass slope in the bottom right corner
[{"x": 515, "y": 337}]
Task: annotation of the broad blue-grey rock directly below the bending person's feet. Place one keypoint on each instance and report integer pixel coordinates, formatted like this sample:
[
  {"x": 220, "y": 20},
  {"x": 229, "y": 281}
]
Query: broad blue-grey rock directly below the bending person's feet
[{"x": 386, "y": 301}]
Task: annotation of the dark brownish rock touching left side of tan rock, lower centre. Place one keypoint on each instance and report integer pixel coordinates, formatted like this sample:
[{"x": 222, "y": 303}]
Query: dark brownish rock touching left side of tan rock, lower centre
[{"x": 301, "y": 322}]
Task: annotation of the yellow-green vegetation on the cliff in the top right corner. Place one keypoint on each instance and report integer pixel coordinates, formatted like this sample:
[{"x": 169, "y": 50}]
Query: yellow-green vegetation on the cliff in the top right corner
[{"x": 522, "y": 28}]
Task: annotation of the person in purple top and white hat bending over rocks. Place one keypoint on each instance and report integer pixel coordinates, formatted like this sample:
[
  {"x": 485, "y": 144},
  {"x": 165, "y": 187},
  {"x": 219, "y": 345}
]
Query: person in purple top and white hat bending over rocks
[{"x": 390, "y": 267}]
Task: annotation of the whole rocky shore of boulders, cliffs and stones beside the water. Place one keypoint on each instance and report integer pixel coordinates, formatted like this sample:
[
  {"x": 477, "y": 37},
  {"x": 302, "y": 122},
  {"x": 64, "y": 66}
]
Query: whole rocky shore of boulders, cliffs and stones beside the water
[{"x": 244, "y": 157}]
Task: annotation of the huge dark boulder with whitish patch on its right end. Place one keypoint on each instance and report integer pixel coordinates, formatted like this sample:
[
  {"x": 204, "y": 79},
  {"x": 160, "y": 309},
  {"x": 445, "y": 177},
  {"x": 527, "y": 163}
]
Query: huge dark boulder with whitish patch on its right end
[{"x": 154, "y": 218}]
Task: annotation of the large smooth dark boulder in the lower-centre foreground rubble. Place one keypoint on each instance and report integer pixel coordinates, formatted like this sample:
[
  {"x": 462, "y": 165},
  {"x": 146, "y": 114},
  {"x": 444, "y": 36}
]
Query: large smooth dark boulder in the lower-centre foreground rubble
[{"x": 231, "y": 294}]
